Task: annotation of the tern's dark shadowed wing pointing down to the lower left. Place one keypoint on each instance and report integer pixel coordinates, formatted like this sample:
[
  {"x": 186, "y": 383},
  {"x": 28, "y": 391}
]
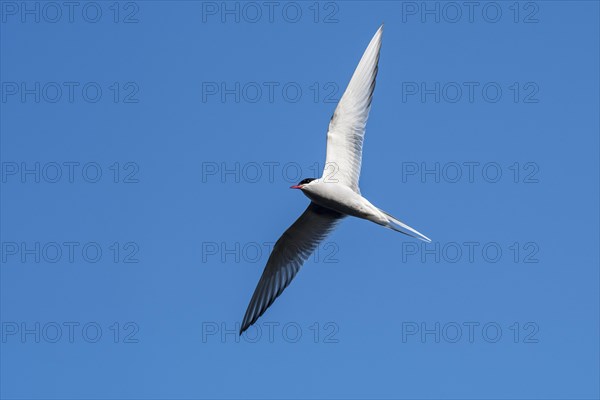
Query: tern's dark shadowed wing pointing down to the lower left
[{"x": 291, "y": 250}]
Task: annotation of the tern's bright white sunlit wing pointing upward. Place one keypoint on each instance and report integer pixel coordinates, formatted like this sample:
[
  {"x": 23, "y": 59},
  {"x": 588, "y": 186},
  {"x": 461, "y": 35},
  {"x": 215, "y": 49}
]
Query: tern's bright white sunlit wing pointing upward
[{"x": 347, "y": 126}]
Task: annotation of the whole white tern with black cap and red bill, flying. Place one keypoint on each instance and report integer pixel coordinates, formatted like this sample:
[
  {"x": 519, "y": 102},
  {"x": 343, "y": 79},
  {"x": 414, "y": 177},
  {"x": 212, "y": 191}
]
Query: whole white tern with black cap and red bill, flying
[{"x": 334, "y": 195}]
